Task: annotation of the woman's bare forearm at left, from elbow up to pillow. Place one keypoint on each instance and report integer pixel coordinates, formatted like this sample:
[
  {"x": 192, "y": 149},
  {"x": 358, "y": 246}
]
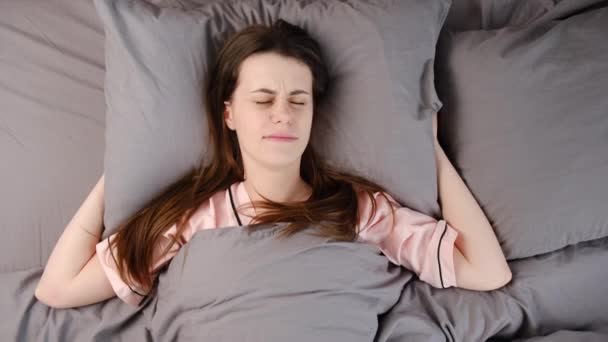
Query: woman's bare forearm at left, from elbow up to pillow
[{"x": 76, "y": 246}]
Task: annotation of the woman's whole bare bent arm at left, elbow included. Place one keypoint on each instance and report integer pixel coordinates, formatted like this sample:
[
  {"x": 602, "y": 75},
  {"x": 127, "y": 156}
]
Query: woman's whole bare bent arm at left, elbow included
[{"x": 73, "y": 271}]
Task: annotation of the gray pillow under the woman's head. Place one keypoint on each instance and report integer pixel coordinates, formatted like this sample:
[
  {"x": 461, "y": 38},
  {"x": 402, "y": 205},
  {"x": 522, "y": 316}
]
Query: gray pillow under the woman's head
[{"x": 380, "y": 56}]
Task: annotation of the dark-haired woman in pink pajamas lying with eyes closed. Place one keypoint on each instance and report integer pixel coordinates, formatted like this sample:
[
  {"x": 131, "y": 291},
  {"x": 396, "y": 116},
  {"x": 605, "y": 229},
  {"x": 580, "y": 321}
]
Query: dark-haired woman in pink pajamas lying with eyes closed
[{"x": 261, "y": 101}]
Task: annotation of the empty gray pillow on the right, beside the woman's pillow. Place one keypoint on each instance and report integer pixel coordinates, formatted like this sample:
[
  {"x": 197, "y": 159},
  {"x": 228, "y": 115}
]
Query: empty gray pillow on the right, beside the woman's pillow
[{"x": 525, "y": 121}]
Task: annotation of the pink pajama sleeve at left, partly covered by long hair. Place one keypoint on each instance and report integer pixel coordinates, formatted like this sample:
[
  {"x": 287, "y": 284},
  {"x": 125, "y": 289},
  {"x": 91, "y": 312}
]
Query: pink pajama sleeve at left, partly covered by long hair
[{"x": 108, "y": 264}]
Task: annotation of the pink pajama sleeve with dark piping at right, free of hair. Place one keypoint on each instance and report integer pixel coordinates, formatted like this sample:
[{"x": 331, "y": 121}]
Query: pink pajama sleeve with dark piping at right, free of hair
[{"x": 415, "y": 240}]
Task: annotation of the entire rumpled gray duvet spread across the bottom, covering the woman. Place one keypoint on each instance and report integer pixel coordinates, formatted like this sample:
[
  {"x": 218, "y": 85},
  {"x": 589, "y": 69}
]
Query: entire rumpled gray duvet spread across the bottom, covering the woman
[{"x": 227, "y": 285}]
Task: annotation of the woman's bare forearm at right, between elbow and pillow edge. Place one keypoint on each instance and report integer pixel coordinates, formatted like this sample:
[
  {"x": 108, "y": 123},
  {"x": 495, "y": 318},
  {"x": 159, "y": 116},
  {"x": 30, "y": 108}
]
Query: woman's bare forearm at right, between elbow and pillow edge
[{"x": 476, "y": 241}]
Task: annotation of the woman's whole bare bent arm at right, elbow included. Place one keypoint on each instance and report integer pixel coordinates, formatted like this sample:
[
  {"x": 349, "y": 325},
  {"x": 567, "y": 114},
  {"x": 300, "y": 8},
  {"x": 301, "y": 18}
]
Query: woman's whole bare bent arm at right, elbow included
[{"x": 479, "y": 263}]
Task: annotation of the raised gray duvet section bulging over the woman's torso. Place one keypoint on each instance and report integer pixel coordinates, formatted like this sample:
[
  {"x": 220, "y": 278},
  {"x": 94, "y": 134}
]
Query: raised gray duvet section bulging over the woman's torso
[{"x": 302, "y": 289}]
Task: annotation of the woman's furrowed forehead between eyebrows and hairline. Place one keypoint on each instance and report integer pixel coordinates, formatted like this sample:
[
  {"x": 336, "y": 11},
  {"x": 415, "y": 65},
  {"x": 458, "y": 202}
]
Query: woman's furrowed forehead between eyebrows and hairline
[{"x": 274, "y": 71}]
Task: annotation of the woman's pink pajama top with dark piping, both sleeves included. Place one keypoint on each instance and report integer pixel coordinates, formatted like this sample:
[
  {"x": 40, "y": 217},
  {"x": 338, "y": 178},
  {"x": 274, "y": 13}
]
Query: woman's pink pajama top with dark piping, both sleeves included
[{"x": 415, "y": 241}]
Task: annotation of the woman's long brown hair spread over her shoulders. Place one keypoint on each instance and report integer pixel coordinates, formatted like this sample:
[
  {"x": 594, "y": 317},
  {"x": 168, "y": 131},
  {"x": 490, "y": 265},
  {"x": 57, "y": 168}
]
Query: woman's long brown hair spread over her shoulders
[{"x": 332, "y": 208}]
